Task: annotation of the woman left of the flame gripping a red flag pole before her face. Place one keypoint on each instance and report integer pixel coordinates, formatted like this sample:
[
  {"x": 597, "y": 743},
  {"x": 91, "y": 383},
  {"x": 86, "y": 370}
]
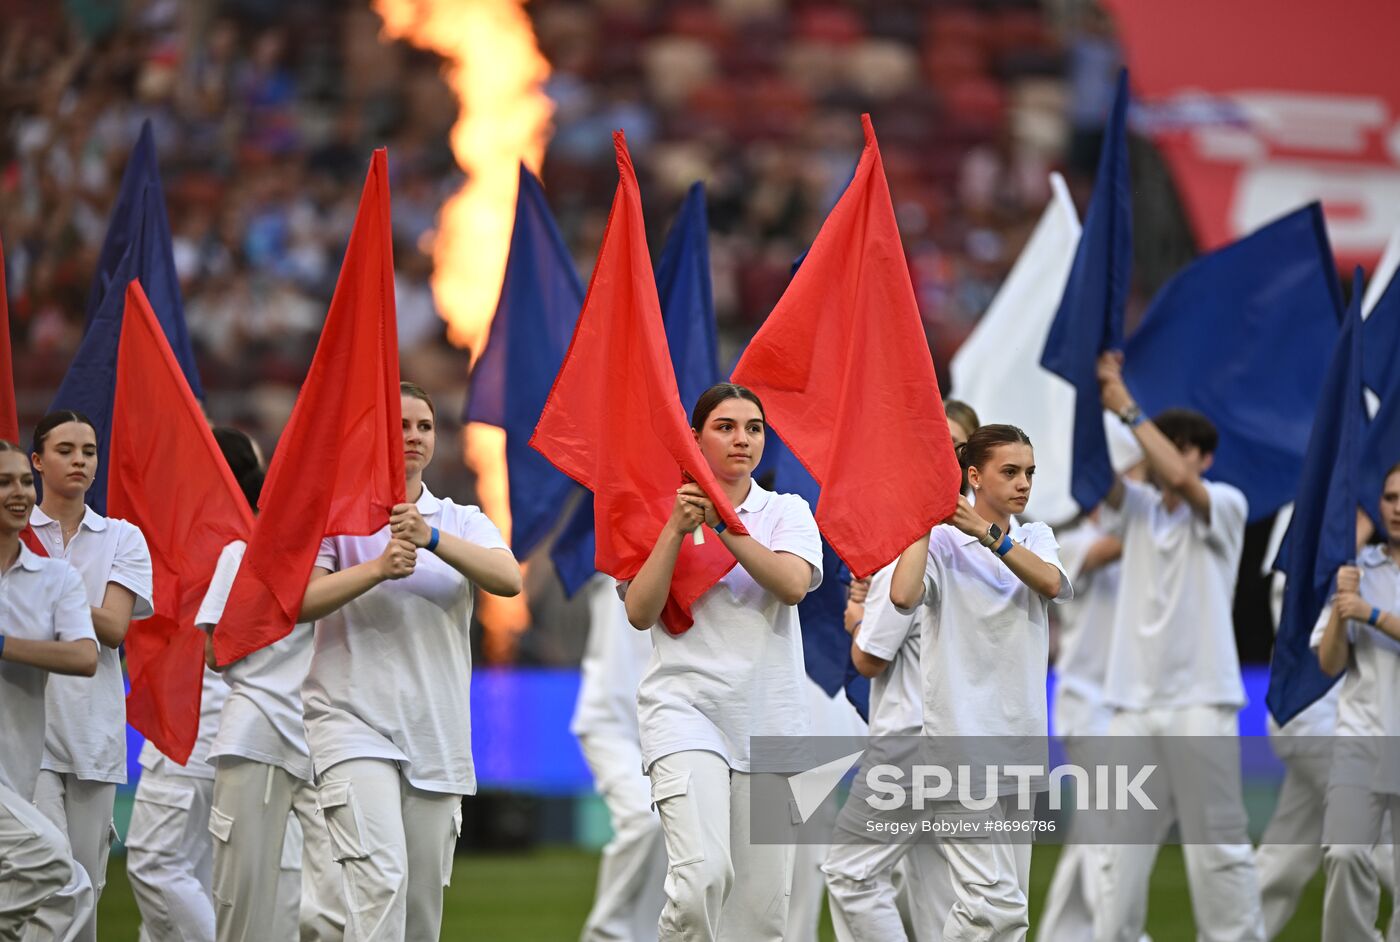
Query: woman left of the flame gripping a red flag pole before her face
[{"x": 387, "y": 698}]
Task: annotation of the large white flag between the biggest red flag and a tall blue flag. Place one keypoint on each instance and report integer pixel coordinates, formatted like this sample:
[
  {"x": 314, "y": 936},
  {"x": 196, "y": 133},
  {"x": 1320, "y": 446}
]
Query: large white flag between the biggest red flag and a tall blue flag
[{"x": 997, "y": 370}]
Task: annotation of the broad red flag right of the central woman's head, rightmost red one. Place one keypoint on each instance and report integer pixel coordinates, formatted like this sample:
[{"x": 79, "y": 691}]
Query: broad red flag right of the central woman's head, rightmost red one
[{"x": 843, "y": 369}]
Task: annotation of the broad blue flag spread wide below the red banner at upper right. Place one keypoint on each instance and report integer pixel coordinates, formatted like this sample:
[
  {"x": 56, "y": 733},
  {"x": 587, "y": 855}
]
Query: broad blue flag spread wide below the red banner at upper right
[{"x": 1242, "y": 337}]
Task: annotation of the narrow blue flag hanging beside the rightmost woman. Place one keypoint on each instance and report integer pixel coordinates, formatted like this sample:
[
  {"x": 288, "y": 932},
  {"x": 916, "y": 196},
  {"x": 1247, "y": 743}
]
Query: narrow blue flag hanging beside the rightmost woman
[{"x": 1322, "y": 535}]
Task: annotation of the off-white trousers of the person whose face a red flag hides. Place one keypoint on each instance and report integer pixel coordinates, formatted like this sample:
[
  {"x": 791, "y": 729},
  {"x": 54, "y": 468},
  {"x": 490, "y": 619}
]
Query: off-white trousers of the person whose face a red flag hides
[{"x": 250, "y": 822}]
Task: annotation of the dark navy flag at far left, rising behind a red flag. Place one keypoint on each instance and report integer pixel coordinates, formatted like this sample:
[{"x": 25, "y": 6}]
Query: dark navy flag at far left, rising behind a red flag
[{"x": 138, "y": 246}]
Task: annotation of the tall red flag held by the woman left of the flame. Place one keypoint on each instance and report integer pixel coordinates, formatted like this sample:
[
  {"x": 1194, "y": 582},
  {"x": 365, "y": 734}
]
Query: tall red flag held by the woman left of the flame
[{"x": 339, "y": 463}]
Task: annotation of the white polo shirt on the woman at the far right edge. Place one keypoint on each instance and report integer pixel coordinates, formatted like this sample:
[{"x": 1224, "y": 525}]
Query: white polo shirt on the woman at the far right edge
[{"x": 1368, "y": 712}]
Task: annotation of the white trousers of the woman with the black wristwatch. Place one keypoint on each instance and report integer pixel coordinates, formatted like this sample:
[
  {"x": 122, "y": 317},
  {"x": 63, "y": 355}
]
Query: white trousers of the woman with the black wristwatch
[{"x": 958, "y": 888}]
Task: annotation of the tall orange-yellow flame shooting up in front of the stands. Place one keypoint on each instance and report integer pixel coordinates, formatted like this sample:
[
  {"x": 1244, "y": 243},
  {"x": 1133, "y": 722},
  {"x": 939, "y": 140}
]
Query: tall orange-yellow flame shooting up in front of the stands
[{"x": 496, "y": 72}]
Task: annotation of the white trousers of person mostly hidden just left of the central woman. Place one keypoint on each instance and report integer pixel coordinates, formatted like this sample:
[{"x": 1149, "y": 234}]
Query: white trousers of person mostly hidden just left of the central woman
[{"x": 633, "y": 869}]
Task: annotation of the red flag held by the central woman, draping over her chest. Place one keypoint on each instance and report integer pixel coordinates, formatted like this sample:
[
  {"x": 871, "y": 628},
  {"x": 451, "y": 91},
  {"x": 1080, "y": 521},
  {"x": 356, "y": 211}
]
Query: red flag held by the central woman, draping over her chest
[{"x": 614, "y": 421}]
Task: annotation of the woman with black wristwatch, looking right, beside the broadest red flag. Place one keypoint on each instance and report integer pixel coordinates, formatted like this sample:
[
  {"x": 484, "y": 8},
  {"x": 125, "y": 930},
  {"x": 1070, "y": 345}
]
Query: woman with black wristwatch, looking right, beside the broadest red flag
[{"x": 986, "y": 583}]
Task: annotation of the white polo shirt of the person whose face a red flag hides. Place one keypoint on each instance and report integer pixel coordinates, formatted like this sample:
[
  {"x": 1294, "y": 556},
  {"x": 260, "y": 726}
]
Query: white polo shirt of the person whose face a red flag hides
[{"x": 262, "y": 717}]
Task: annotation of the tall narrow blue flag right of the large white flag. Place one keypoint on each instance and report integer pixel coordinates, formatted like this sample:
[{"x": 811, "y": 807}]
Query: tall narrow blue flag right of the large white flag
[{"x": 1090, "y": 320}]
